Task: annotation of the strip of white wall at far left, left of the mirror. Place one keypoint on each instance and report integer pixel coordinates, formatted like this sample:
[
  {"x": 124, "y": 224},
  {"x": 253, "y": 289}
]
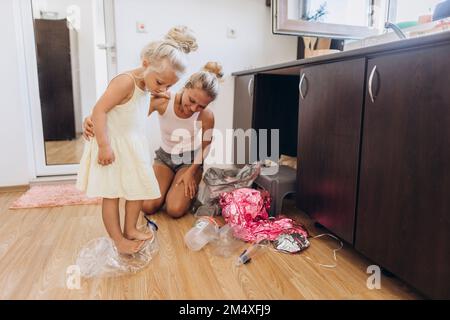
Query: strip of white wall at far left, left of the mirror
[{"x": 15, "y": 164}]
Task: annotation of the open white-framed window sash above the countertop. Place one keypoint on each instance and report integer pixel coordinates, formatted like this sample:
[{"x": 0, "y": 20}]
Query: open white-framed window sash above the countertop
[{"x": 337, "y": 19}]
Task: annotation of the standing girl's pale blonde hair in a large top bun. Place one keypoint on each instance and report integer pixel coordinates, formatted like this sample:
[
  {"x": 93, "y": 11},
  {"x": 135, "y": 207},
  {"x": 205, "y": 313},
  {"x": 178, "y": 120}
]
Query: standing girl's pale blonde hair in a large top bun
[{"x": 177, "y": 43}]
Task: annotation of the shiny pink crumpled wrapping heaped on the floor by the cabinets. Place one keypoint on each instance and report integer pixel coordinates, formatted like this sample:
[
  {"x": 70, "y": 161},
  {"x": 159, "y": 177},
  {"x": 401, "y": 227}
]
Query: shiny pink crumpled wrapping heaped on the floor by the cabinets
[{"x": 246, "y": 210}]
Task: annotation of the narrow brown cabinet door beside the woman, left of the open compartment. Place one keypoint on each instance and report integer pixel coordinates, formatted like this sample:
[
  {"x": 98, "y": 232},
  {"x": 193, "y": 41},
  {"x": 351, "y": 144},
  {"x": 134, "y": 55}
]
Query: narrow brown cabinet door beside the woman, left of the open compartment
[{"x": 244, "y": 87}]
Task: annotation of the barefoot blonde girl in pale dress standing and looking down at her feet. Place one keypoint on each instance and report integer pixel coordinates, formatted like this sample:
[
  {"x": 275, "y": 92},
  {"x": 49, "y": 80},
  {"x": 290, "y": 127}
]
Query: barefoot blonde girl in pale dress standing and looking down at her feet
[{"x": 116, "y": 164}]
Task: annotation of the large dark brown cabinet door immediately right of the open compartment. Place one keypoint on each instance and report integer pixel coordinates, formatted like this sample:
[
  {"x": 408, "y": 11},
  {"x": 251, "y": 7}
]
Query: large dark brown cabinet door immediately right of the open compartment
[{"x": 331, "y": 101}]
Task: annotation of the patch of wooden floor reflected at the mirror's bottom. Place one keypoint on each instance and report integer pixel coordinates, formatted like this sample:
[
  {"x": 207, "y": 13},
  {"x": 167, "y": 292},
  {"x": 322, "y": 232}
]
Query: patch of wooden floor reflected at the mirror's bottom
[{"x": 64, "y": 152}]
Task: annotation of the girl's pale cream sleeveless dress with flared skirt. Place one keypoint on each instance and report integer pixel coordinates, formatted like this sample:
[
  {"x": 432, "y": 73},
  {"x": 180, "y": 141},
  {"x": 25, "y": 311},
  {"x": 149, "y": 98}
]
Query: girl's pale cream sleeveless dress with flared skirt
[{"x": 131, "y": 175}]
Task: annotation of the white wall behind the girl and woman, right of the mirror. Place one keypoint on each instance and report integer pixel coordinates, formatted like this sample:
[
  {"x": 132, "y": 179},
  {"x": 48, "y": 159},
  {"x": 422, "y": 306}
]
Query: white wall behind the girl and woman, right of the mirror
[{"x": 254, "y": 45}]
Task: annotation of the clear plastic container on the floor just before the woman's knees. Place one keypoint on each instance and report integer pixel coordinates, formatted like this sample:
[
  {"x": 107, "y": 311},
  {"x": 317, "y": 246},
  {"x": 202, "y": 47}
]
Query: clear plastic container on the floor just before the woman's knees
[{"x": 205, "y": 230}]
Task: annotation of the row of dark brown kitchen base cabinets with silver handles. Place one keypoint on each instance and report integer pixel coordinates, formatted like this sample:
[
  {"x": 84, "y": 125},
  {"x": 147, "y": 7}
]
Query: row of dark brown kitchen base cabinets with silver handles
[{"x": 373, "y": 150}]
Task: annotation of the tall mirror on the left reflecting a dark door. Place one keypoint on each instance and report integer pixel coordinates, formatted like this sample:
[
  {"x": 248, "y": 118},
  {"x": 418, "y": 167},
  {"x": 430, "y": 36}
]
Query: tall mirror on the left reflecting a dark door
[{"x": 72, "y": 71}]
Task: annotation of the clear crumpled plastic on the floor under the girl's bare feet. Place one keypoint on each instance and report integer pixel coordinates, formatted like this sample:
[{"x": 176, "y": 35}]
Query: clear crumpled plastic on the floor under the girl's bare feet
[{"x": 100, "y": 258}]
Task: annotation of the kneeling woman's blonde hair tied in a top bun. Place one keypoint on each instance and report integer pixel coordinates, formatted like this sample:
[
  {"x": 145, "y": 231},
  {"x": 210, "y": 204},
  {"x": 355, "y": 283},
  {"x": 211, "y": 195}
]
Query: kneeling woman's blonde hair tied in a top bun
[{"x": 207, "y": 79}]
